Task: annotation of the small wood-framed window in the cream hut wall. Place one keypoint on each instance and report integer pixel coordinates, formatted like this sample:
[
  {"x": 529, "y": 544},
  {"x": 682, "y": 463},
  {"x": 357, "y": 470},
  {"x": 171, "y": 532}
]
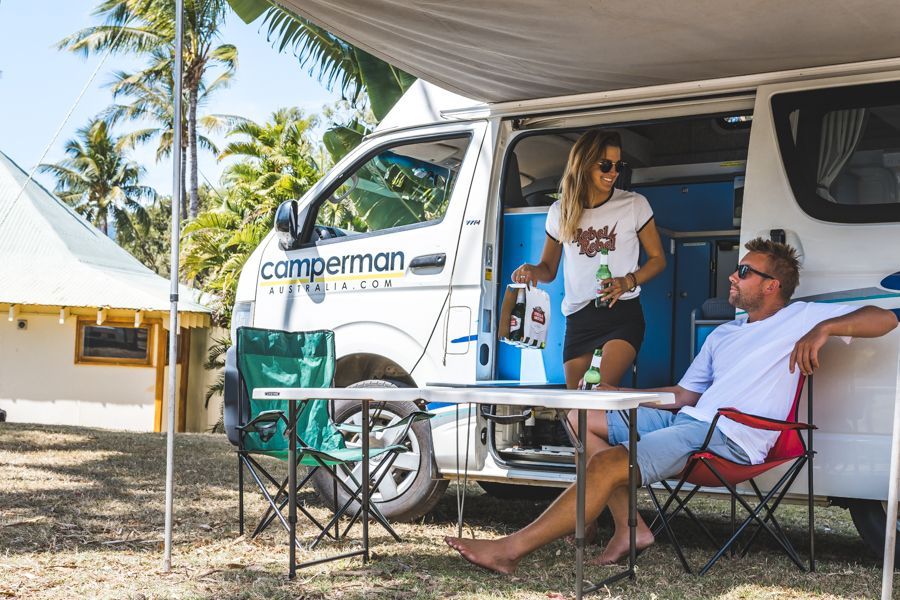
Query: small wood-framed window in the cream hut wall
[{"x": 113, "y": 343}]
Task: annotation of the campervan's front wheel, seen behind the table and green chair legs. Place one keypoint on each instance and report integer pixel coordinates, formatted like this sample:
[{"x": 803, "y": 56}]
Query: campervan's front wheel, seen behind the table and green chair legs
[{"x": 419, "y": 490}]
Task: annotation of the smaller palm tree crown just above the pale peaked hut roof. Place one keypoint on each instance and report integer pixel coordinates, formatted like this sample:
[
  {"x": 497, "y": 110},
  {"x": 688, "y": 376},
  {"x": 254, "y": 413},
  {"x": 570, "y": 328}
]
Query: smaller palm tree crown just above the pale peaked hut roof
[{"x": 100, "y": 183}]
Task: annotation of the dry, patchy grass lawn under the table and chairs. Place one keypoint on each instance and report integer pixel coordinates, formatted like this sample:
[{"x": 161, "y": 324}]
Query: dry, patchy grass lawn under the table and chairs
[{"x": 81, "y": 516}]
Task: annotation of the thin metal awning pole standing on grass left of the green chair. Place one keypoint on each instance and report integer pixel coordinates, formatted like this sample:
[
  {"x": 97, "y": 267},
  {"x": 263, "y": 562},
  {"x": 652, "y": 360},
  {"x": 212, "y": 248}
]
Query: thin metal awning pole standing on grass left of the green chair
[{"x": 173, "y": 277}]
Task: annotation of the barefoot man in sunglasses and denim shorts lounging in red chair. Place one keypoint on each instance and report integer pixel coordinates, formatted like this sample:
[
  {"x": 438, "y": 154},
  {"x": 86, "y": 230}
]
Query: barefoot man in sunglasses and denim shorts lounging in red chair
[{"x": 748, "y": 363}]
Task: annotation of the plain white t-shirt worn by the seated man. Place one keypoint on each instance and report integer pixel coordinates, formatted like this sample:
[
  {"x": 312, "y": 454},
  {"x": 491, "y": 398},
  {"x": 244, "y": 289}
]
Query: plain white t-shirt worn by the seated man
[{"x": 745, "y": 366}]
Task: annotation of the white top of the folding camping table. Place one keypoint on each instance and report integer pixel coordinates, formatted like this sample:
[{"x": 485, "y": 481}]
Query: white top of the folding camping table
[{"x": 549, "y": 398}]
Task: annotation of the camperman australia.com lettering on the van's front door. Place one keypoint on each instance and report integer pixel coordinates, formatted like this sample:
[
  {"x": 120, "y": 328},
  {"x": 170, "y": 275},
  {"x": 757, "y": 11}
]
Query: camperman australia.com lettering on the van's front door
[{"x": 333, "y": 273}]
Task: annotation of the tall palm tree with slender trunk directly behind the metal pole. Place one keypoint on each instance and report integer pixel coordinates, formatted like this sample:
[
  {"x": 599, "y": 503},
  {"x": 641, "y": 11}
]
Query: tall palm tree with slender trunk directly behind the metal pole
[{"x": 148, "y": 27}]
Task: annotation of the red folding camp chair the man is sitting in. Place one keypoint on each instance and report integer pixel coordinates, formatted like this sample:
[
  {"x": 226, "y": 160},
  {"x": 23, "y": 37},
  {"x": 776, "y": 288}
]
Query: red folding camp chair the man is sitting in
[{"x": 764, "y": 503}]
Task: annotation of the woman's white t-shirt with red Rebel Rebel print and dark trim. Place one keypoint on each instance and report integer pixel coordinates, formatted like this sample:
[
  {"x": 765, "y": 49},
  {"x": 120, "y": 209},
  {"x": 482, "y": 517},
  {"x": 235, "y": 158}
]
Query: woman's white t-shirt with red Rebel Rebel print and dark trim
[{"x": 613, "y": 225}]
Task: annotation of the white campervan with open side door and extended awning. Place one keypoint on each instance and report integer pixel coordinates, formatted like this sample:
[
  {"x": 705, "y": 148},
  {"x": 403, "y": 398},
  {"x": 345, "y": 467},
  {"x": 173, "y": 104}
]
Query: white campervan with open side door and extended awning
[{"x": 449, "y": 195}]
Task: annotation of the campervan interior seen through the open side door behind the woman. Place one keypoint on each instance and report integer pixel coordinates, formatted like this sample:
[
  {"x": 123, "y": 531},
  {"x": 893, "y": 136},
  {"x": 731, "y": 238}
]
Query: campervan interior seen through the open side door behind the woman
[{"x": 691, "y": 170}]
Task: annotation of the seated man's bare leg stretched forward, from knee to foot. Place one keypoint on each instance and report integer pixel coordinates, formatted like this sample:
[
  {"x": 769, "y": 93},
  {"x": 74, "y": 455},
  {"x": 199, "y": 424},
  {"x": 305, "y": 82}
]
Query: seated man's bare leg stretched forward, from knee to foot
[{"x": 606, "y": 473}]
